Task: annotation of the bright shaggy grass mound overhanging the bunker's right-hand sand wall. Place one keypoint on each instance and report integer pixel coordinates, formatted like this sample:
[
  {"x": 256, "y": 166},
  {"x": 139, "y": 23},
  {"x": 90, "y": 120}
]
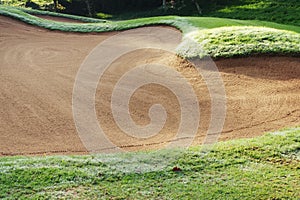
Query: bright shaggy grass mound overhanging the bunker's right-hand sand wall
[{"x": 239, "y": 41}]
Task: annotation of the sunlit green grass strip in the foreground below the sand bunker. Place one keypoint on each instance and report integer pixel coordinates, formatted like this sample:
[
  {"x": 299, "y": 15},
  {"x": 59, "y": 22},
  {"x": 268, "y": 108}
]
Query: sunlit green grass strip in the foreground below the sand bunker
[{"x": 265, "y": 167}]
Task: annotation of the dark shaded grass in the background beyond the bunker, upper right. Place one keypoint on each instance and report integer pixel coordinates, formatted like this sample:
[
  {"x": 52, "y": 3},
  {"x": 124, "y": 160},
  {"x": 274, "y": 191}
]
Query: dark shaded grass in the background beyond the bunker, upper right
[{"x": 280, "y": 11}]
